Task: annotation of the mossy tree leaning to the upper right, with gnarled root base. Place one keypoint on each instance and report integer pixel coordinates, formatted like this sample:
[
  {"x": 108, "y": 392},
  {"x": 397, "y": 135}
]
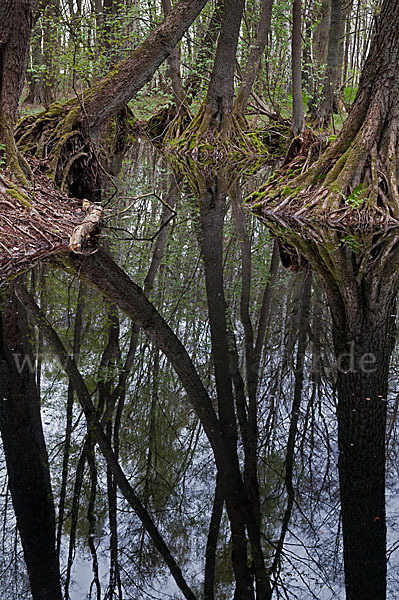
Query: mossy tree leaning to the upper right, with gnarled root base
[{"x": 70, "y": 130}]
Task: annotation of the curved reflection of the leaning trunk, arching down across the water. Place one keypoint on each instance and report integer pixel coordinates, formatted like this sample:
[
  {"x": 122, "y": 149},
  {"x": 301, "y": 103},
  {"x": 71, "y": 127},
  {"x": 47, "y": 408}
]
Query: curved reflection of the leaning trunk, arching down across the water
[{"x": 115, "y": 284}]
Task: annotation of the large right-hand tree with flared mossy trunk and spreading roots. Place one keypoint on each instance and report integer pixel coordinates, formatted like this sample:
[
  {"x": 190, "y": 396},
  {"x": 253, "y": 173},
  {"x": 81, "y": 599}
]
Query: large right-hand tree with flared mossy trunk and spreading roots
[{"x": 357, "y": 176}]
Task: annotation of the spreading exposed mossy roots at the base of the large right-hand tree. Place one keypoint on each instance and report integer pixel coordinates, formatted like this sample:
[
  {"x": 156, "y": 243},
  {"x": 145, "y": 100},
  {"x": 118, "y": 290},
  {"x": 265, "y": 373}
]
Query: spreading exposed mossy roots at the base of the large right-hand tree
[{"x": 352, "y": 181}]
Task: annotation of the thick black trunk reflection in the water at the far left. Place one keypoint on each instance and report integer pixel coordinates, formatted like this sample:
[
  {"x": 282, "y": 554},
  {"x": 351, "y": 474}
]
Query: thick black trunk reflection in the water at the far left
[{"x": 26, "y": 454}]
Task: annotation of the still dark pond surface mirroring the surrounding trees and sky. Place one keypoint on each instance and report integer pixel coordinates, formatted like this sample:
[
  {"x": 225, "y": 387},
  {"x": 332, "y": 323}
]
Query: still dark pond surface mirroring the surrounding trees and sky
[{"x": 224, "y": 398}]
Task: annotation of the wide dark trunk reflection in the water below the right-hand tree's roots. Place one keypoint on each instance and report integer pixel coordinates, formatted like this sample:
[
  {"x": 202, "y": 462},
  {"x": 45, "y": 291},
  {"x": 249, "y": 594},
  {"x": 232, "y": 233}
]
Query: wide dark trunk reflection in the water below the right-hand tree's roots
[{"x": 364, "y": 337}]
